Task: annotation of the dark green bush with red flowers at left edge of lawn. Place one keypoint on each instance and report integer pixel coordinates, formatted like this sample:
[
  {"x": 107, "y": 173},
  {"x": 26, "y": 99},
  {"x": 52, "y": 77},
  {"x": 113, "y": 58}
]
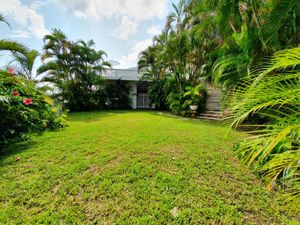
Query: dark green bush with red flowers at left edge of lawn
[{"x": 23, "y": 108}]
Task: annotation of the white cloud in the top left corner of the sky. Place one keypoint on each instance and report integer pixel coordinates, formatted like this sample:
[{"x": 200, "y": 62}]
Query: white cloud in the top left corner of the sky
[{"x": 27, "y": 19}]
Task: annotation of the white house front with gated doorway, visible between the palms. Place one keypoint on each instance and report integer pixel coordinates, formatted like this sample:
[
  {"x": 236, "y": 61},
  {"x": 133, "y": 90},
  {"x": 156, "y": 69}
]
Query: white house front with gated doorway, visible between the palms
[{"x": 138, "y": 89}]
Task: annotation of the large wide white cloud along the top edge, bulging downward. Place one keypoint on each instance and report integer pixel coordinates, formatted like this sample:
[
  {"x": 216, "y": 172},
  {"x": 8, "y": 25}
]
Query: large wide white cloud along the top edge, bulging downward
[{"x": 130, "y": 12}]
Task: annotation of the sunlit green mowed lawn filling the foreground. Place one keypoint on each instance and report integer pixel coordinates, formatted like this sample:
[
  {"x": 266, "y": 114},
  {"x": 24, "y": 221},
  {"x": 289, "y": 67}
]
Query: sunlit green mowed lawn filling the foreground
[{"x": 133, "y": 168}]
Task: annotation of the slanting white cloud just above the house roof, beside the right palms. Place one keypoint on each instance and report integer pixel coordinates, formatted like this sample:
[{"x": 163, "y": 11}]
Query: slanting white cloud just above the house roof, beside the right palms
[{"x": 132, "y": 58}]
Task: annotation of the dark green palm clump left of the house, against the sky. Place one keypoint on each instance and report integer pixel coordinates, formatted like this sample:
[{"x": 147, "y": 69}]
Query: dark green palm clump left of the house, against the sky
[{"x": 75, "y": 69}]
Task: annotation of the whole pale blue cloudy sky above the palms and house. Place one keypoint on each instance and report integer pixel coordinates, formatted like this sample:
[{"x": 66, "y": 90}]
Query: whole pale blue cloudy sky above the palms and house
[{"x": 122, "y": 28}]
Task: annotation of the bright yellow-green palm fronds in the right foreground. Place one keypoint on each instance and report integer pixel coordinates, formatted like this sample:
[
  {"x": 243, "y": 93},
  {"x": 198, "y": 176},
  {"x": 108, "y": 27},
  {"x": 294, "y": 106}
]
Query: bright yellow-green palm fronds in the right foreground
[{"x": 274, "y": 93}]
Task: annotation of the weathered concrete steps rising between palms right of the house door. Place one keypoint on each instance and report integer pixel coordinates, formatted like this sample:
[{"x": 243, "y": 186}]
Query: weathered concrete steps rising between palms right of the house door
[{"x": 213, "y": 105}]
